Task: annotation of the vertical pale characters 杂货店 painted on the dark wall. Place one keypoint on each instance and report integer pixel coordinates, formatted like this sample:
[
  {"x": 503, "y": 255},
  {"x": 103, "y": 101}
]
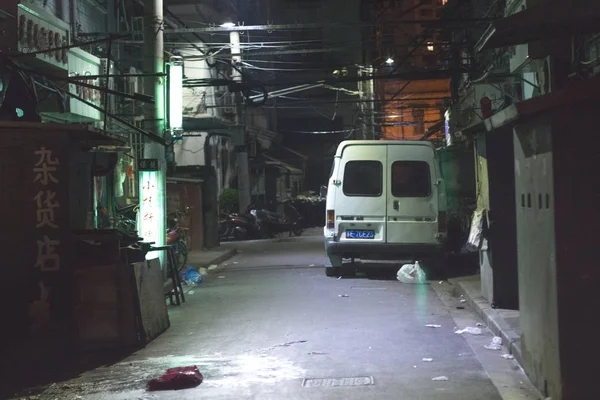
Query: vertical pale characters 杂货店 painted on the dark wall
[{"x": 45, "y": 172}]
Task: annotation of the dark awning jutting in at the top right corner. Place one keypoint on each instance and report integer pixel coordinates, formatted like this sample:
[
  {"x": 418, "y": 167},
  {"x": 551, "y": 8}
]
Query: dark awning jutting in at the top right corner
[{"x": 553, "y": 19}]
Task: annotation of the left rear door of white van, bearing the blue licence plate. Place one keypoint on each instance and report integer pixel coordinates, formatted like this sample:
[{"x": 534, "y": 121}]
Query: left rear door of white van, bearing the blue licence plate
[{"x": 360, "y": 201}]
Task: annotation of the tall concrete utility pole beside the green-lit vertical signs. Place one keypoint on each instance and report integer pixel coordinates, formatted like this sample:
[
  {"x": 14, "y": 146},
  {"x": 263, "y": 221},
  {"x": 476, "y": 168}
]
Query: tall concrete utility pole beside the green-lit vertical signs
[{"x": 154, "y": 114}]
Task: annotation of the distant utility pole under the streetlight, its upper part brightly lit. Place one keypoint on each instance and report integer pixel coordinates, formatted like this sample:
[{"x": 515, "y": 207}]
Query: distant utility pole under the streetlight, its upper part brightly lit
[{"x": 241, "y": 143}]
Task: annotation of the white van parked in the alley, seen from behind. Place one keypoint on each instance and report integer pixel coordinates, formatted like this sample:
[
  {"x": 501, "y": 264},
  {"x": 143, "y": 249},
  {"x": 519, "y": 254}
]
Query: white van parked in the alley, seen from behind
[{"x": 385, "y": 201}]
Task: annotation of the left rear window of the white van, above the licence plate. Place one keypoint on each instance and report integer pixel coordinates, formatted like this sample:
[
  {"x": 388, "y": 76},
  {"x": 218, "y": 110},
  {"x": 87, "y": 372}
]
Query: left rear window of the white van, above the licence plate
[{"x": 363, "y": 178}]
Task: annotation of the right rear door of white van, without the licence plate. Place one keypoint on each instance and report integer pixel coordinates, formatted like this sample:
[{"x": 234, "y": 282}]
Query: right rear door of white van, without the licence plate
[{"x": 412, "y": 198}]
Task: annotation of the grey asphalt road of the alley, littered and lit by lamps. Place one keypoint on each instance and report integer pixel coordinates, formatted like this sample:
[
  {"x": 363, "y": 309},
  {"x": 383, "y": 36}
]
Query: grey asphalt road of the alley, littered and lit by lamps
[{"x": 271, "y": 325}]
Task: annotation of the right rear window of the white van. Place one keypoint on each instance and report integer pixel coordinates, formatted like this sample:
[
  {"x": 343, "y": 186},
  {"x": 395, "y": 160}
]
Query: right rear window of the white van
[{"x": 411, "y": 179}]
